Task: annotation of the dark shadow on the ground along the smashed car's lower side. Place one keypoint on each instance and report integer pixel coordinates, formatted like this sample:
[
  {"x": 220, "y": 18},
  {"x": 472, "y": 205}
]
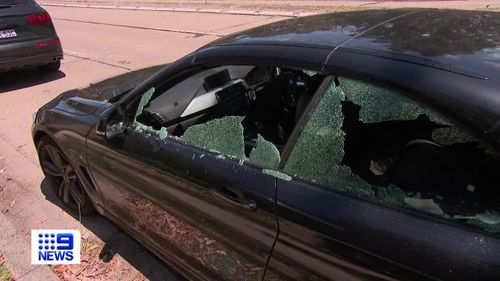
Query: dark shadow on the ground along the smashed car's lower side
[{"x": 117, "y": 242}]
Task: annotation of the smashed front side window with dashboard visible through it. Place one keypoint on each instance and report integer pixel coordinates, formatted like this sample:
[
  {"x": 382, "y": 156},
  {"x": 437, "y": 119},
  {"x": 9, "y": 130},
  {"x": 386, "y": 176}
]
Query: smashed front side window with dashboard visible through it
[{"x": 244, "y": 112}]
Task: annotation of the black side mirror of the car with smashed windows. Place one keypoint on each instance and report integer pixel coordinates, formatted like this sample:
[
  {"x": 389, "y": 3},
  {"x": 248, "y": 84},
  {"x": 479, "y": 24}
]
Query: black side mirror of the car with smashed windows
[{"x": 111, "y": 122}]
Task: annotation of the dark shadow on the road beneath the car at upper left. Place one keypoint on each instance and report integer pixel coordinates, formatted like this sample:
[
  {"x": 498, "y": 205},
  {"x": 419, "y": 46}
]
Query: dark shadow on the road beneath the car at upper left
[{"x": 23, "y": 78}]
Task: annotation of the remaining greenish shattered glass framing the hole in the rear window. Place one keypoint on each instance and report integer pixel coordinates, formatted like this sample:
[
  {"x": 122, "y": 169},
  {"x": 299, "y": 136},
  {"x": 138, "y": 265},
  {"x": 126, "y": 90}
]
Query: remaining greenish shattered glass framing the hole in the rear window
[{"x": 319, "y": 151}]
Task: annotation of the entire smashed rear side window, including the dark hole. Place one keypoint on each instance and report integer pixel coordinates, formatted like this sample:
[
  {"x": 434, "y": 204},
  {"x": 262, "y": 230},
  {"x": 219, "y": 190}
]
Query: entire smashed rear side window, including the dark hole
[{"x": 375, "y": 143}]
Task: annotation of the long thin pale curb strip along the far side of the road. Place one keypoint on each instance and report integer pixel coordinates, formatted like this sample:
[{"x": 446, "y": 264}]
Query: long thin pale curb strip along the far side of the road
[{"x": 185, "y": 10}]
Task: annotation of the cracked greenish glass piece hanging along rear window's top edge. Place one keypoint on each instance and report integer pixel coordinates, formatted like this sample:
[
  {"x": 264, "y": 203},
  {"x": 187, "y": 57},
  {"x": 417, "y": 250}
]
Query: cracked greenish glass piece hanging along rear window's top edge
[{"x": 376, "y": 101}]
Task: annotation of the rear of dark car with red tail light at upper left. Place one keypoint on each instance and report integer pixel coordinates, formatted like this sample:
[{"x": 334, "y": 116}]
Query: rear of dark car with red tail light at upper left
[{"x": 27, "y": 37}]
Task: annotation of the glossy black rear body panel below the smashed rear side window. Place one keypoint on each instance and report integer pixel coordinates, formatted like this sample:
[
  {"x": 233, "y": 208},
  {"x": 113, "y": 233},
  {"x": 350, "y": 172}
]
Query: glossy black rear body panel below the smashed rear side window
[{"x": 341, "y": 237}]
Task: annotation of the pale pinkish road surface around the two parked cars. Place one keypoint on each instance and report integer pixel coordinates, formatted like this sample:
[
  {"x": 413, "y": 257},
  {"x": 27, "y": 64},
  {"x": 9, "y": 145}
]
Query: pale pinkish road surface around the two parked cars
[{"x": 97, "y": 44}]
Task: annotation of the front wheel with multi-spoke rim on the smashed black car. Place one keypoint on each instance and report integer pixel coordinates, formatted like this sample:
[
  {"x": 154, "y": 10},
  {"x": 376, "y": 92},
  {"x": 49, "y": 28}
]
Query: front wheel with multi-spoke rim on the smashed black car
[{"x": 62, "y": 177}]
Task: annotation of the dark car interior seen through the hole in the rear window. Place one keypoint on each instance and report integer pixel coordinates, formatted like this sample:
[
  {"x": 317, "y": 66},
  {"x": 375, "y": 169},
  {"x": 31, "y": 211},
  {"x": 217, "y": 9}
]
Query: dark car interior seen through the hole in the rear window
[{"x": 460, "y": 177}]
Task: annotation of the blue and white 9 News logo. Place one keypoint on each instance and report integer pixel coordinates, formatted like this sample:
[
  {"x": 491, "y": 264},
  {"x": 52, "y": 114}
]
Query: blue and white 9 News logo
[{"x": 55, "y": 246}]
